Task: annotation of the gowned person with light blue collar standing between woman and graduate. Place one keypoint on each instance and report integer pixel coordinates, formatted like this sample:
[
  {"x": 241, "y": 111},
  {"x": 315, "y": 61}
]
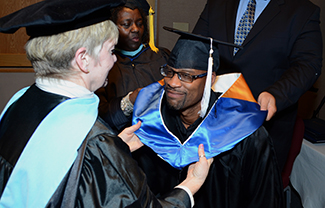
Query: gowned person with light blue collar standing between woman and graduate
[{"x": 137, "y": 64}]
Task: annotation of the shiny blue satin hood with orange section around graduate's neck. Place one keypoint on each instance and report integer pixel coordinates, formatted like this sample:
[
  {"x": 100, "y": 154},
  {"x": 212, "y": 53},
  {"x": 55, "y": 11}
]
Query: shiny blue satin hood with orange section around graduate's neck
[{"x": 233, "y": 117}]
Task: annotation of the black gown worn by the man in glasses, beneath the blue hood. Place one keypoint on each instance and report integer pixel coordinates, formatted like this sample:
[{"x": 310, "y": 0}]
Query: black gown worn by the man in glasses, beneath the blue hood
[{"x": 245, "y": 176}]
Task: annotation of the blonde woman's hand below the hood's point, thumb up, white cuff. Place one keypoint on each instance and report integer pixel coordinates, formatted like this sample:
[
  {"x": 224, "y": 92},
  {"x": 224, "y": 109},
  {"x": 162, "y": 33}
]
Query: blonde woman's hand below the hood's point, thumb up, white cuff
[{"x": 197, "y": 172}]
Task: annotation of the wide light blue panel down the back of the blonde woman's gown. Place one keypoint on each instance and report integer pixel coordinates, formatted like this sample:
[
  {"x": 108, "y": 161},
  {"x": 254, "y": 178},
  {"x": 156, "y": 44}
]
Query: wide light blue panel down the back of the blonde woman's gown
[{"x": 50, "y": 153}]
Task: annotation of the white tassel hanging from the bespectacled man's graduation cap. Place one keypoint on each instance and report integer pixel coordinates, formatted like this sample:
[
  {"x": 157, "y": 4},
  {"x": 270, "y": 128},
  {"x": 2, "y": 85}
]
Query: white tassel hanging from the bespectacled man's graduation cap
[{"x": 207, "y": 89}]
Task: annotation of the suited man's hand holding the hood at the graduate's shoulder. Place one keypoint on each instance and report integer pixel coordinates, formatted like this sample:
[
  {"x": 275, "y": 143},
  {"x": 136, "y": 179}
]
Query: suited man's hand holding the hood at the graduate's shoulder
[{"x": 267, "y": 102}]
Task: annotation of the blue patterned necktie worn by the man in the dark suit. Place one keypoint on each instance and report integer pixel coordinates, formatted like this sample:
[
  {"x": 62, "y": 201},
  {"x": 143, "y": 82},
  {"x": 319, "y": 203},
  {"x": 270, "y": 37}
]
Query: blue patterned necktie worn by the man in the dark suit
[{"x": 245, "y": 24}]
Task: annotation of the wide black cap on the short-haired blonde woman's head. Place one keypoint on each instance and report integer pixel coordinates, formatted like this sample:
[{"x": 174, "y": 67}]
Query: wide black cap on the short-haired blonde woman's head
[{"x": 51, "y": 17}]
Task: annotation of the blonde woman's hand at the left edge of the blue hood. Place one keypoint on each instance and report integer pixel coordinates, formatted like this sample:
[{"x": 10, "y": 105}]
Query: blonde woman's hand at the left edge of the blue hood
[{"x": 130, "y": 138}]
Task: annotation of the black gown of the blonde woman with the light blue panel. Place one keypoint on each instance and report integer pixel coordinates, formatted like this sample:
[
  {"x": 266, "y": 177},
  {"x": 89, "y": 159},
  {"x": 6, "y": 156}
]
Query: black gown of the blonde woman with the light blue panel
[{"x": 103, "y": 175}]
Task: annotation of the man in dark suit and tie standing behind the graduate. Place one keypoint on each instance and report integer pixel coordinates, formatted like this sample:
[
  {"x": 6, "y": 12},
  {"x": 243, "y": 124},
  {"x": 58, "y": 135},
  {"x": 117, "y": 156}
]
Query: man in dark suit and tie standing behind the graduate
[{"x": 280, "y": 60}]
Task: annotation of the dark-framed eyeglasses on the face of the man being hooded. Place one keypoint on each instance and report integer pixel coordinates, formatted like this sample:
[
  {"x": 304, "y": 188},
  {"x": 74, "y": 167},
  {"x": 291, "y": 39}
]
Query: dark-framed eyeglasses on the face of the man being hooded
[{"x": 167, "y": 71}]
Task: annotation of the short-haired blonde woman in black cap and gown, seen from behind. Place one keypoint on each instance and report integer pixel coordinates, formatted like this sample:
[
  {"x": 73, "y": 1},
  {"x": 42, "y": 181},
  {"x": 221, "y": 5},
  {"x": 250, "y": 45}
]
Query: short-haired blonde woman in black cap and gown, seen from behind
[{"x": 54, "y": 150}]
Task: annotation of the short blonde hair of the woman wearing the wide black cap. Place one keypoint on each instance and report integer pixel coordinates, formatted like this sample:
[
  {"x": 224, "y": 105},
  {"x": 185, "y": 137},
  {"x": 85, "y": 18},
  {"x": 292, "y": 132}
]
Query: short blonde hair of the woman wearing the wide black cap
[{"x": 51, "y": 56}]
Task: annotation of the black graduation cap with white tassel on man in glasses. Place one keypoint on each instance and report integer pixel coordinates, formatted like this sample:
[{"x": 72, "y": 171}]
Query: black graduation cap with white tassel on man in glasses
[{"x": 197, "y": 52}]
